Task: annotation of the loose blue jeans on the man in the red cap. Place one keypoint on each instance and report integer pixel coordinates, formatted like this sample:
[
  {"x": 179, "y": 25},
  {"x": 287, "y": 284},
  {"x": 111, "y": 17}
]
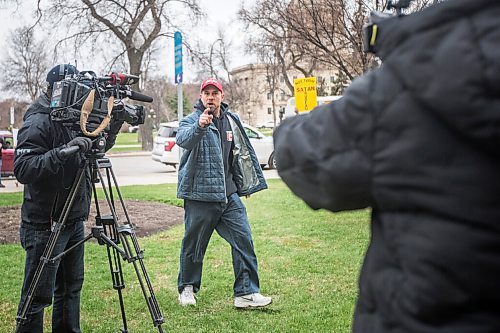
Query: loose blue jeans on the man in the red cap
[{"x": 231, "y": 223}]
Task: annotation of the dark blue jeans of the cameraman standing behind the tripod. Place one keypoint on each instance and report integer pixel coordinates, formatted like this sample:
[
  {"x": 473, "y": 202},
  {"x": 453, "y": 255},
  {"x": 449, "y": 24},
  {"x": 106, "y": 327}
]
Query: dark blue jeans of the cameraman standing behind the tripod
[{"x": 60, "y": 280}]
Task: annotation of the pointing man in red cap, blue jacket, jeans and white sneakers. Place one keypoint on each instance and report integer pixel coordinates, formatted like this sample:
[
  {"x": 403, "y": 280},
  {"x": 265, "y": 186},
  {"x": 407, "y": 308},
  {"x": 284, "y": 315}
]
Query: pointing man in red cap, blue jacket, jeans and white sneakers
[{"x": 218, "y": 166}]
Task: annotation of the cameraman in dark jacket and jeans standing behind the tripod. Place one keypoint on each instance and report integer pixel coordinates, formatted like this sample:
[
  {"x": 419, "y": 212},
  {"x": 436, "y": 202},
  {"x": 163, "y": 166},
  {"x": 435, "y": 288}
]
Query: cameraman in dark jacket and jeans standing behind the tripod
[{"x": 43, "y": 164}]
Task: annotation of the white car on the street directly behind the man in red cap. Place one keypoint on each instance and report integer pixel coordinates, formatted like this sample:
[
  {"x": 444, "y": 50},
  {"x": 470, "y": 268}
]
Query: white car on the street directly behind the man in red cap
[{"x": 166, "y": 151}]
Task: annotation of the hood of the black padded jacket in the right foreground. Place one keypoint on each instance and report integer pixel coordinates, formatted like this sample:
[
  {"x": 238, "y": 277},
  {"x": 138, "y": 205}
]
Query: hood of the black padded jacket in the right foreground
[{"x": 447, "y": 56}]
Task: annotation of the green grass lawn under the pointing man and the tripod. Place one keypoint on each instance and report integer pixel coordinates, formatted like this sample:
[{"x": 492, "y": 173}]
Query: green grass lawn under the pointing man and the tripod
[{"x": 308, "y": 262}]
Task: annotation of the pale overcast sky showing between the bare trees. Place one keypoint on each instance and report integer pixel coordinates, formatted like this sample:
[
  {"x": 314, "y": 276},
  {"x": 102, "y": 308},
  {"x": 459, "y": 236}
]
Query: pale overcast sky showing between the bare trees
[{"x": 220, "y": 13}]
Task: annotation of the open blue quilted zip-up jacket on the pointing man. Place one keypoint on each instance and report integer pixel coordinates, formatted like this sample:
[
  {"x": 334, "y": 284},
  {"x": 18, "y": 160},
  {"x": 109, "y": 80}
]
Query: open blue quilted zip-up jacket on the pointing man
[{"x": 201, "y": 169}]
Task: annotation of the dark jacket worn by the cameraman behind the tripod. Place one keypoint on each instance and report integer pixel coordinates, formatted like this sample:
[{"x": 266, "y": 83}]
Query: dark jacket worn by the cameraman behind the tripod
[{"x": 46, "y": 176}]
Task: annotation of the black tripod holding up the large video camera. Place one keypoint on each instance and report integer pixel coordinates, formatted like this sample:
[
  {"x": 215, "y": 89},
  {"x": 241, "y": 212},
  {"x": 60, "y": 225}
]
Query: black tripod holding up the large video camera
[{"x": 108, "y": 231}]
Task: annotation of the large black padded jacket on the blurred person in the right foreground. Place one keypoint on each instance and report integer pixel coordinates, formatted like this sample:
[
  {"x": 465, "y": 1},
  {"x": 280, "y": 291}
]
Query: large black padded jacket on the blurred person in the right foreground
[{"x": 418, "y": 141}]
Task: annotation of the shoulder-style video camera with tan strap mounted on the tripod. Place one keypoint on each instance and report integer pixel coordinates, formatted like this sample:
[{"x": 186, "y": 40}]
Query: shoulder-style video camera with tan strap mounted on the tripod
[{"x": 89, "y": 101}]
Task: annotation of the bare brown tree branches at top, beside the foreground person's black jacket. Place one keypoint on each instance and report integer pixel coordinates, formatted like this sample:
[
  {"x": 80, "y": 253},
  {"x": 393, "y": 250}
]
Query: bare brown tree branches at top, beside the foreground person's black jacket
[{"x": 326, "y": 32}]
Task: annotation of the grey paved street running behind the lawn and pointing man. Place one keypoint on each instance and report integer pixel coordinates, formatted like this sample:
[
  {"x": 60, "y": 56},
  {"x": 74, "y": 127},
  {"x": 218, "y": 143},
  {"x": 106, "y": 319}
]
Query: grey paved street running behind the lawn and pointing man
[{"x": 133, "y": 169}]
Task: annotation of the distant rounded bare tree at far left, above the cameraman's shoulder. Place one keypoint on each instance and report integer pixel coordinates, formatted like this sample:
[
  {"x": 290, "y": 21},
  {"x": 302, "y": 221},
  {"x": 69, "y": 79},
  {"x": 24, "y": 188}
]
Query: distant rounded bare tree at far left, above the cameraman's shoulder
[{"x": 25, "y": 65}]
